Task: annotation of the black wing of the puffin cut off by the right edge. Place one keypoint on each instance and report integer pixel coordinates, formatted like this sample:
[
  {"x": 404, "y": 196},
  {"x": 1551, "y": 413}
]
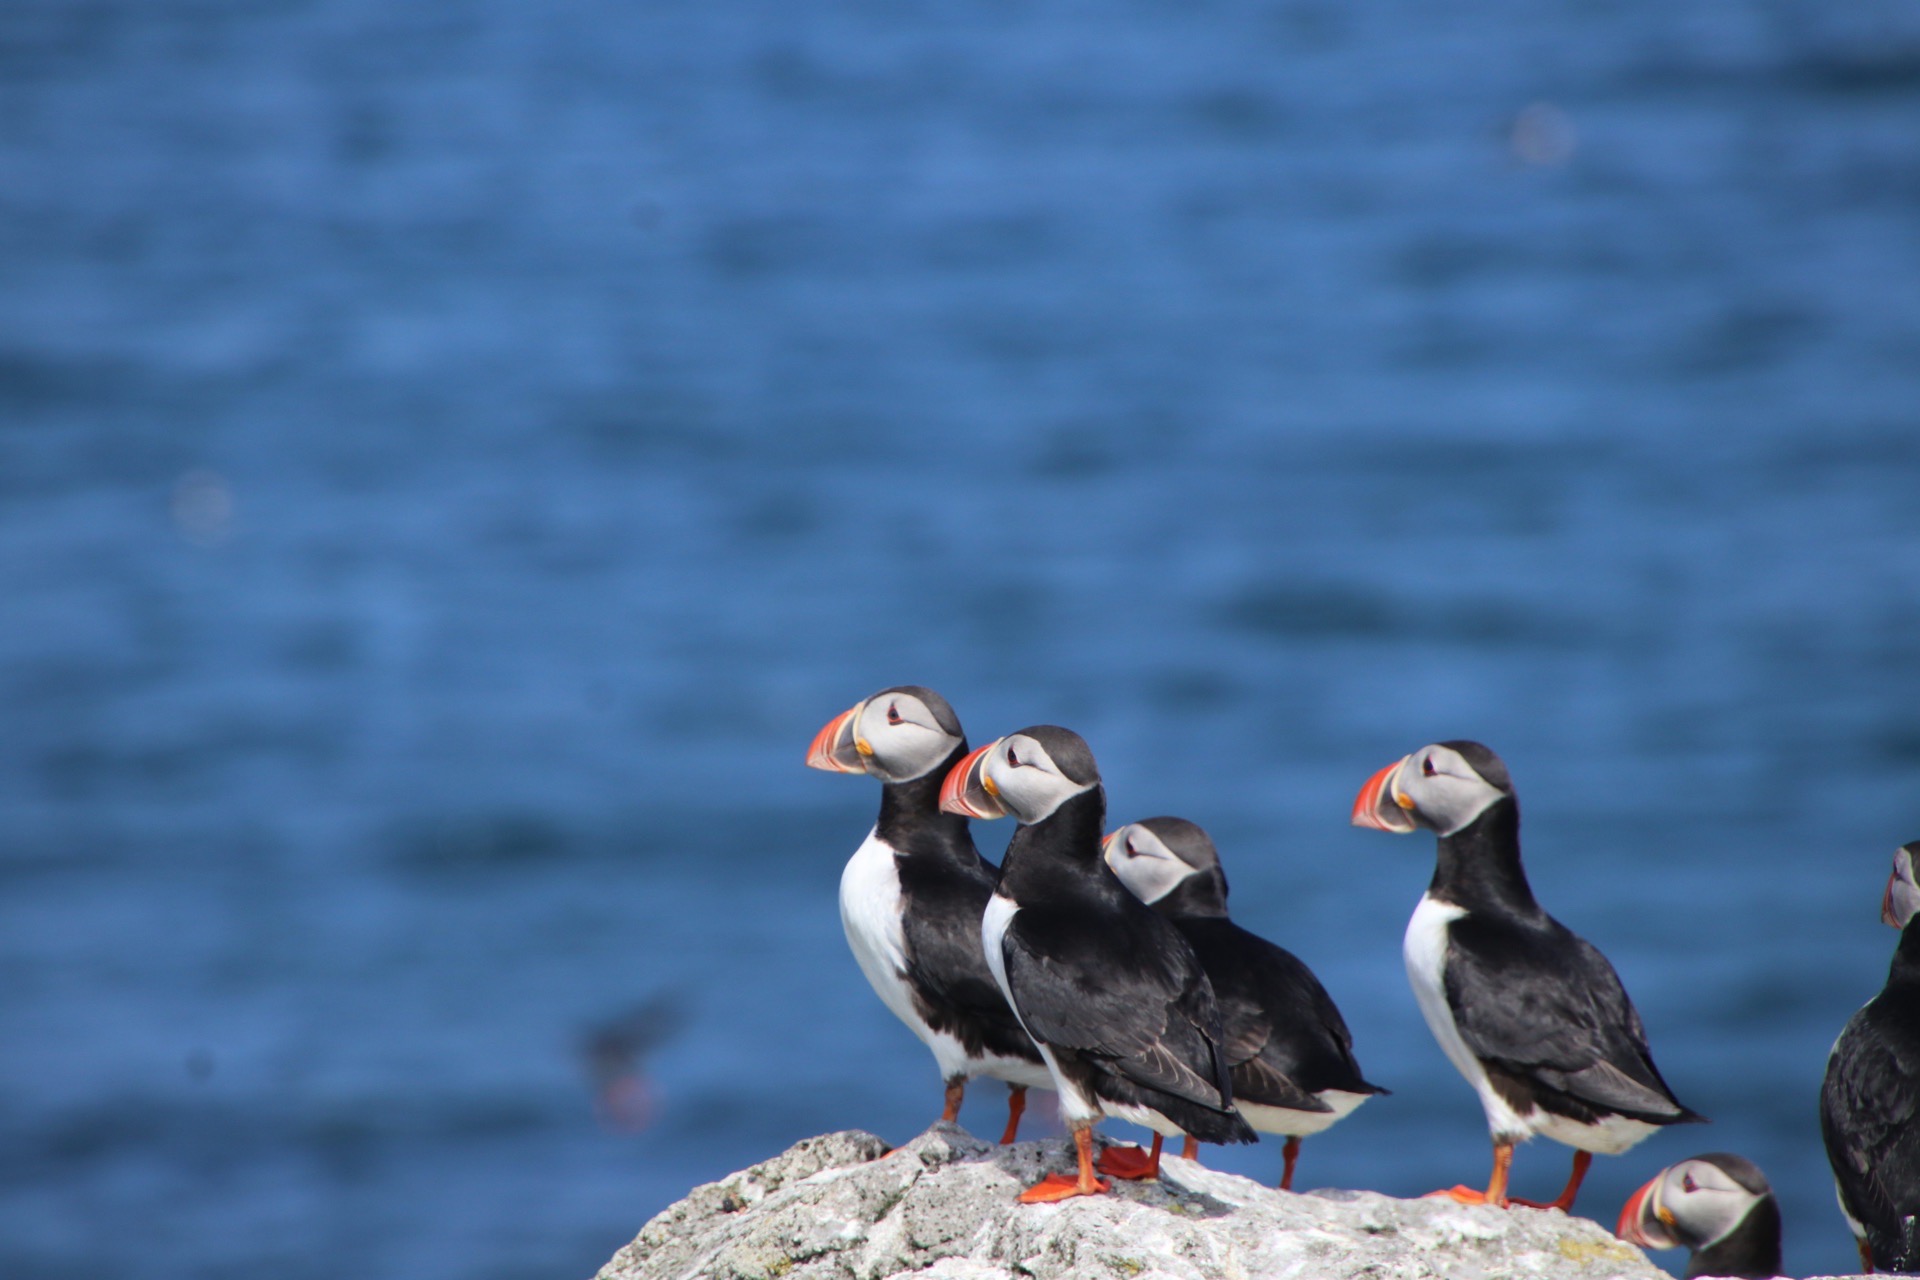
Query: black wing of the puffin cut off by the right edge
[{"x": 1867, "y": 1120}]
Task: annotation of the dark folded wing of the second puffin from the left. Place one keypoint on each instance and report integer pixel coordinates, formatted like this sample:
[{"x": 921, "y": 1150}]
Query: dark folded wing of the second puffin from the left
[{"x": 1126, "y": 993}]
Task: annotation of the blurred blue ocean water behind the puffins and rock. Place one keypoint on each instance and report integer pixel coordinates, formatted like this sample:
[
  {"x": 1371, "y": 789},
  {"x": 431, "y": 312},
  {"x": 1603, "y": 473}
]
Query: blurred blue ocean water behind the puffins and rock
[{"x": 456, "y": 456}]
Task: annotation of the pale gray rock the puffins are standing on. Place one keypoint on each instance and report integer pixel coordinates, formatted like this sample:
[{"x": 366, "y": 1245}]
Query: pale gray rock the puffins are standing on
[{"x": 942, "y": 1208}]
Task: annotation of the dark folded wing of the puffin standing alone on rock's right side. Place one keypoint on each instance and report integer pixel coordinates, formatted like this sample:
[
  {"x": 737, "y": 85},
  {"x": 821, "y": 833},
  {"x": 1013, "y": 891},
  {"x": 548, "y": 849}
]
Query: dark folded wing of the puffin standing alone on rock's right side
[{"x": 1547, "y": 1007}]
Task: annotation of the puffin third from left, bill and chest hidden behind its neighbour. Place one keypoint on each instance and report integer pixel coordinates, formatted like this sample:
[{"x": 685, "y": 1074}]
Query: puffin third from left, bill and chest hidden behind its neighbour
[{"x": 1289, "y": 1049}]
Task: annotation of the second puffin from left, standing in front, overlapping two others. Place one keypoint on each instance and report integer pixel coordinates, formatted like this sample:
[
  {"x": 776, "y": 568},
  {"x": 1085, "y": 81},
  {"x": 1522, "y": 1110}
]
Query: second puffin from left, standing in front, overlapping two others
[{"x": 1109, "y": 989}]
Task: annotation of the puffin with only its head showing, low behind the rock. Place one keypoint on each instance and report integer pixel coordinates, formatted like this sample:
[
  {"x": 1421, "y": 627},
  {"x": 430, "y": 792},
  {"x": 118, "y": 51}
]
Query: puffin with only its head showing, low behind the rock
[{"x": 1717, "y": 1206}]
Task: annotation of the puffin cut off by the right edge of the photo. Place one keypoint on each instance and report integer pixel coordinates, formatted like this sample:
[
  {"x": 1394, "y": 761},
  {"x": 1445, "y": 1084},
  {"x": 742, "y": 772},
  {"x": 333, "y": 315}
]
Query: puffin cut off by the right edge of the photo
[{"x": 1871, "y": 1097}]
